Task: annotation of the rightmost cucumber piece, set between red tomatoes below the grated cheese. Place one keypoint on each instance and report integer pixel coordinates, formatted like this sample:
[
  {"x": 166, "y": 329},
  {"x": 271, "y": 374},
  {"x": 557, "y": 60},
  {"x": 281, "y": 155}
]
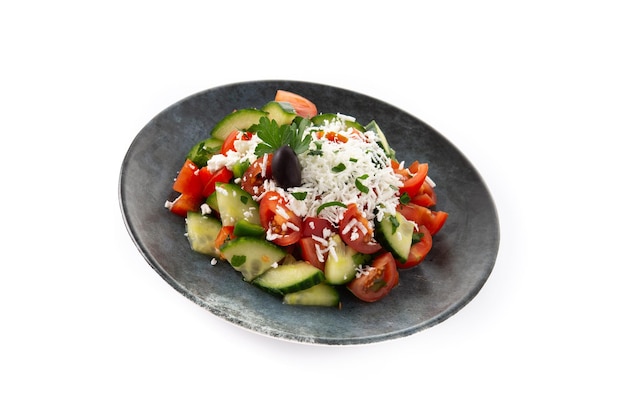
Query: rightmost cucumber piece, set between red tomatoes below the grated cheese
[{"x": 395, "y": 233}]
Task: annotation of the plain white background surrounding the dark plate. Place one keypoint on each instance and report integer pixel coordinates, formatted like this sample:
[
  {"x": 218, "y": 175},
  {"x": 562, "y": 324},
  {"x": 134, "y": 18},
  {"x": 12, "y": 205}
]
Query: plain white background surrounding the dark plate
[{"x": 533, "y": 93}]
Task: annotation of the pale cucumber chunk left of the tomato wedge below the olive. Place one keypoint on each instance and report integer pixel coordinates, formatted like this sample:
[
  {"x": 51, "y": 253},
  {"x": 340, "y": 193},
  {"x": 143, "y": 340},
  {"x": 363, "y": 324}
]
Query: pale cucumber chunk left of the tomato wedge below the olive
[{"x": 234, "y": 204}]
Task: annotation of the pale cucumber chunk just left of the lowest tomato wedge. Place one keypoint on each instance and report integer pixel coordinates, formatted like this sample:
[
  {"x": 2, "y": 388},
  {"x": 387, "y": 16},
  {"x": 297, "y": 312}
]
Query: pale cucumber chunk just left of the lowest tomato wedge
[{"x": 342, "y": 269}]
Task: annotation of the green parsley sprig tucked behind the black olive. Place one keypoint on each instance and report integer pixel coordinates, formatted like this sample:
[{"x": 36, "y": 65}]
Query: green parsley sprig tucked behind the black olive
[{"x": 275, "y": 136}]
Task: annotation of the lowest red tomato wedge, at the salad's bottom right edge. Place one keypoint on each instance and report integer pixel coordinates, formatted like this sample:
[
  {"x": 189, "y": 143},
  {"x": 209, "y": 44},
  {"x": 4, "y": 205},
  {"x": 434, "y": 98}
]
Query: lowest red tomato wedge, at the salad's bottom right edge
[{"x": 376, "y": 282}]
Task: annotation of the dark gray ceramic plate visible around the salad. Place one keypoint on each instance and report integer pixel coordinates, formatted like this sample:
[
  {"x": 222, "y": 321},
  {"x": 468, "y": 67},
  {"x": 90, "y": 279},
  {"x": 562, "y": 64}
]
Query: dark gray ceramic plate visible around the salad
[{"x": 462, "y": 258}]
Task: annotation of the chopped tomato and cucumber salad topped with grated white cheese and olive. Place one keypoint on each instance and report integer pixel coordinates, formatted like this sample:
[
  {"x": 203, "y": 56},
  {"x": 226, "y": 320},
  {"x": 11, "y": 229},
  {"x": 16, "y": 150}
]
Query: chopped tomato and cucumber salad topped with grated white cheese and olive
[{"x": 301, "y": 203}]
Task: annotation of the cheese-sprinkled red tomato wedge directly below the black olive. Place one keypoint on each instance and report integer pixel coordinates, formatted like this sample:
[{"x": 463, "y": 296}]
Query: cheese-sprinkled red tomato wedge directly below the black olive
[{"x": 282, "y": 225}]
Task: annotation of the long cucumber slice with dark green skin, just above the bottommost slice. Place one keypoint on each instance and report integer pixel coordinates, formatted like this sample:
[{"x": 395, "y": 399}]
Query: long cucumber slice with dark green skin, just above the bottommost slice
[{"x": 285, "y": 279}]
